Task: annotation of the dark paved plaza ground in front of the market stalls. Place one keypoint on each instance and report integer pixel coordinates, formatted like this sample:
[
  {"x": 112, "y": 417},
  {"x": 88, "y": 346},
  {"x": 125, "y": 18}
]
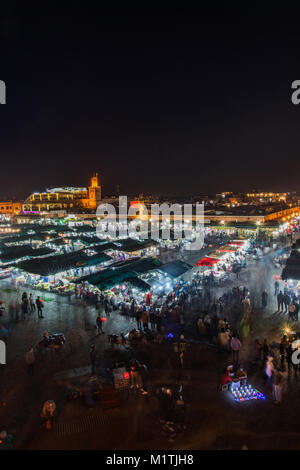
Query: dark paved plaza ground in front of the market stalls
[{"x": 213, "y": 419}]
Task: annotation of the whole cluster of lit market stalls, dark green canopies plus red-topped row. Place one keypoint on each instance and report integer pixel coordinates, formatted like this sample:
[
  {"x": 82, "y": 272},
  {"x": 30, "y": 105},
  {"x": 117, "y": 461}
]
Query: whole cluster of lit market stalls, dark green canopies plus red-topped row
[{"x": 57, "y": 257}]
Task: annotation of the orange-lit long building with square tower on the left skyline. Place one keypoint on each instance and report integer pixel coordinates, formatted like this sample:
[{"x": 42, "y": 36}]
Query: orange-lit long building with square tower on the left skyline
[{"x": 66, "y": 198}]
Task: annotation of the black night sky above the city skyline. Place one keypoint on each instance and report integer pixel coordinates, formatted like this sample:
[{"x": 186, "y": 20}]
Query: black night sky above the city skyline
[{"x": 169, "y": 102}]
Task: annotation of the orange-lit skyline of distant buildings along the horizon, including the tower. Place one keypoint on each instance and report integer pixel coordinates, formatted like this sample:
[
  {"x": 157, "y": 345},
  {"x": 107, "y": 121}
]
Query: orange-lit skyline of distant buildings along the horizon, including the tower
[{"x": 255, "y": 207}]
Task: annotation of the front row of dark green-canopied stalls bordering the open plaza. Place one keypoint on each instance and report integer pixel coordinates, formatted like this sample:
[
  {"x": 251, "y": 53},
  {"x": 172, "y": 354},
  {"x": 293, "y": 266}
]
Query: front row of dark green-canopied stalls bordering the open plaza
[{"x": 96, "y": 272}]
